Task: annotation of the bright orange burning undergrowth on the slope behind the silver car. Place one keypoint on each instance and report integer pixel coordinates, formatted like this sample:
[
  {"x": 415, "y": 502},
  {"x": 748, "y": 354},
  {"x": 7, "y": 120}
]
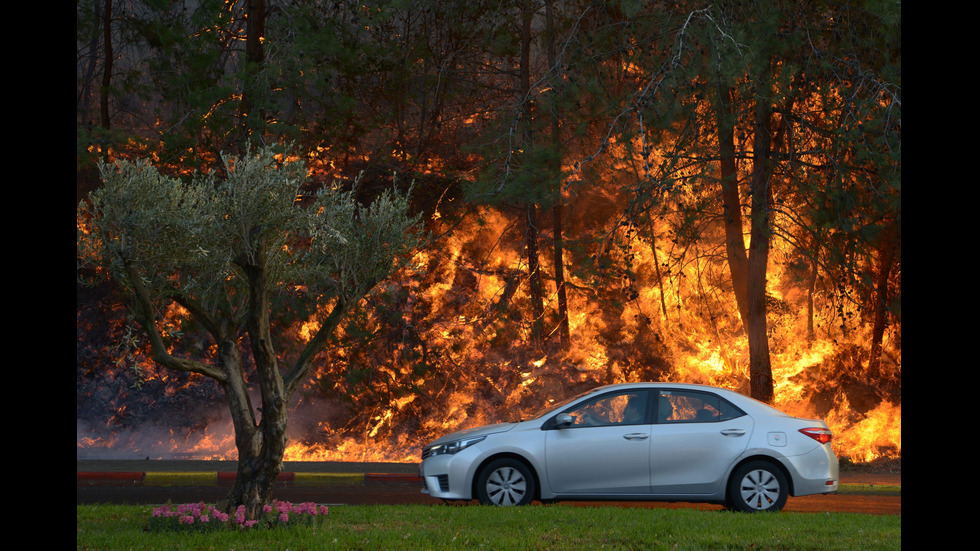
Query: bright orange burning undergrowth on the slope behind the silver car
[{"x": 448, "y": 347}]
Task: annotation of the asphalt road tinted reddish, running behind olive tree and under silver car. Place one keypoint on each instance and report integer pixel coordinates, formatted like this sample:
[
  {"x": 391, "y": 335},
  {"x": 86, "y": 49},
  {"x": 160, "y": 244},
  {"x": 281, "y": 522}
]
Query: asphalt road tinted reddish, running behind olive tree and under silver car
[{"x": 876, "y": 493}]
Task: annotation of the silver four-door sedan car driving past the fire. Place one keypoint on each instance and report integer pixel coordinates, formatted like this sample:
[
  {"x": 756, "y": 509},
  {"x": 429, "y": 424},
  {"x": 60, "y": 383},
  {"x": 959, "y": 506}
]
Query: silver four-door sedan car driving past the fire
[{"x": 639, "y": 441}]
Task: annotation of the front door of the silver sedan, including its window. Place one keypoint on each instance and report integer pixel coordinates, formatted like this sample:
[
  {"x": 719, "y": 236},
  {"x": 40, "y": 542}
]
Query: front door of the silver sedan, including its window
[{"x": 604, "y": 449}]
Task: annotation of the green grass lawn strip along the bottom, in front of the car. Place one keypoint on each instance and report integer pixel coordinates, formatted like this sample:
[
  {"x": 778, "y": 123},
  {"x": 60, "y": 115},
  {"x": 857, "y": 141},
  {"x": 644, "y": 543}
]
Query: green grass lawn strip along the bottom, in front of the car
[{"x": 558, "y": 527}]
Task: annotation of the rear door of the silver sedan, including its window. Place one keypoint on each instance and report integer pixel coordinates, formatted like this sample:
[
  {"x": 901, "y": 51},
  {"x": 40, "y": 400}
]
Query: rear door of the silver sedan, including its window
[{"x": 696, "y": 438}]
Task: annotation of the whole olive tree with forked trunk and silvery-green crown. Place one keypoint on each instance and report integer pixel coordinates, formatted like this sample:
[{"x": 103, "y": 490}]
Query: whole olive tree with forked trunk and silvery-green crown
[{"x": 234, "y": 252}]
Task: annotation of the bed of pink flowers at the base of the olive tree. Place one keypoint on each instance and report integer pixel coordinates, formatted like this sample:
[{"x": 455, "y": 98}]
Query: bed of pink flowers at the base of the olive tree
[{"x": 200, "y": 516}]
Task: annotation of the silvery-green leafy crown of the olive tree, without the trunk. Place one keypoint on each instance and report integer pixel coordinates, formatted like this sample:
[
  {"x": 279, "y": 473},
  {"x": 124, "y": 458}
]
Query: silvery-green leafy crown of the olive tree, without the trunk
[{"x": 190, "y": 238}]
